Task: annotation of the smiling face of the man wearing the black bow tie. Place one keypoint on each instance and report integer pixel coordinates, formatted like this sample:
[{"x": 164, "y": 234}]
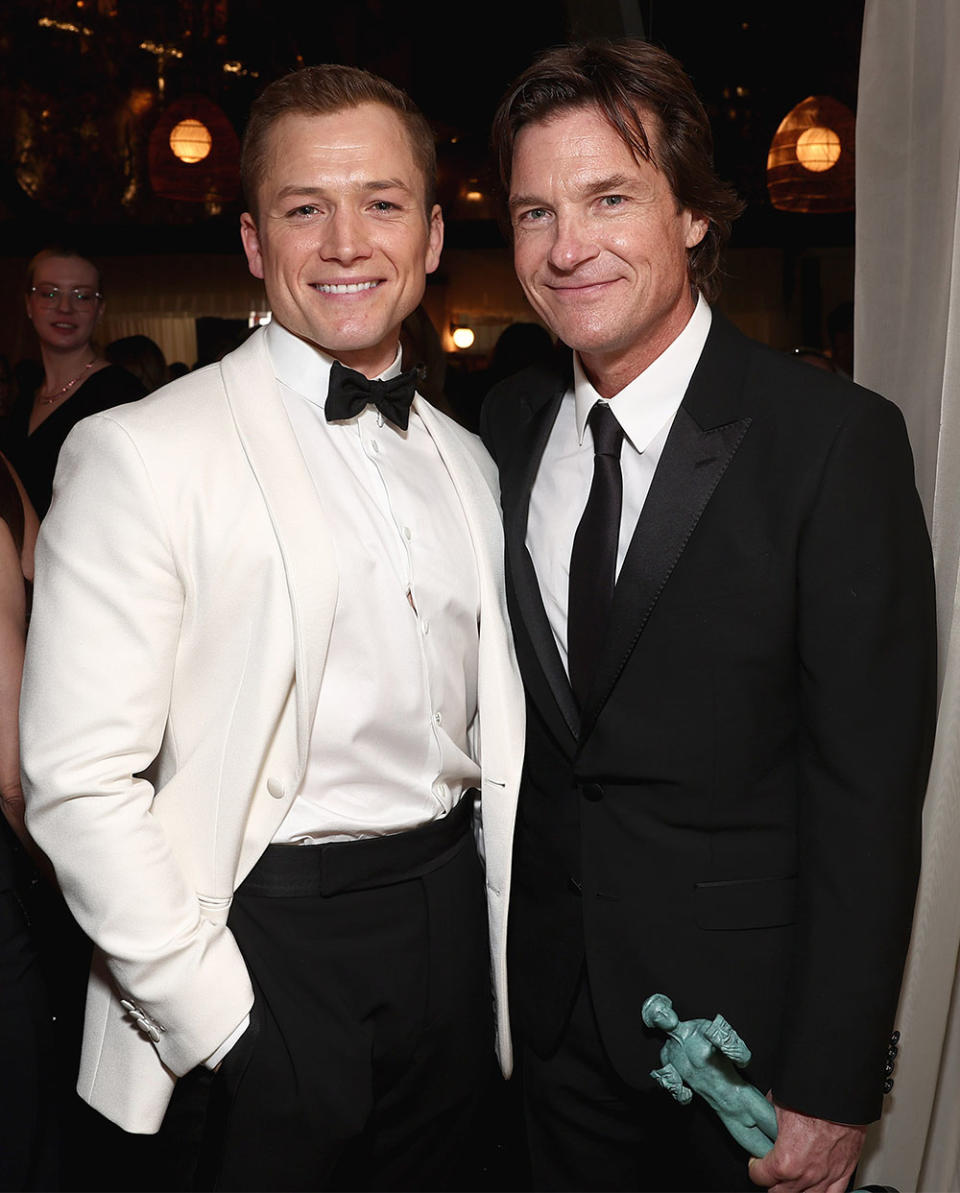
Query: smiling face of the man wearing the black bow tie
[{"x": 343, "y": 240}]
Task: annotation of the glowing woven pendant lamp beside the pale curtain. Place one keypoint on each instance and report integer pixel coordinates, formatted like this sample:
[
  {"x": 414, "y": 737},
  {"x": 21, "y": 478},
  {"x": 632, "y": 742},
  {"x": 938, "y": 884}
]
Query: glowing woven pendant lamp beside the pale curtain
[{"x": 810, "y": 166}]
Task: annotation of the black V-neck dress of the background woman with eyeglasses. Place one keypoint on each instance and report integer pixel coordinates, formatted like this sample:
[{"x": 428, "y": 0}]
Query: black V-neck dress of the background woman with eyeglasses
[{"x": 35, "y": 456}]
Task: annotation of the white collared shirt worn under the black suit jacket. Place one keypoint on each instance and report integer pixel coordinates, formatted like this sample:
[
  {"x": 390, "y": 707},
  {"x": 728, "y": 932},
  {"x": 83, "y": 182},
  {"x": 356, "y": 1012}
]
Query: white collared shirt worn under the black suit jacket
[{"x": 646, "y": 410}]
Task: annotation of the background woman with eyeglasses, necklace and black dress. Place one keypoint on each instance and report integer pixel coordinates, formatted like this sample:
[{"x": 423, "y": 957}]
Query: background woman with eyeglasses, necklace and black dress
[{"x": 65, "y": 304}]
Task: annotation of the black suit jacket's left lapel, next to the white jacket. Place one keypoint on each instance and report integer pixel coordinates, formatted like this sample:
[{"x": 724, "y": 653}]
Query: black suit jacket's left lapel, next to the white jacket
[{"x": 554, "y": 694}]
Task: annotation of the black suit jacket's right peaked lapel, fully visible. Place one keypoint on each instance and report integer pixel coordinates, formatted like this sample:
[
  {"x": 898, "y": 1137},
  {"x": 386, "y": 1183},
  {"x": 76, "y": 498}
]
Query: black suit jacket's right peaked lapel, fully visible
[{"x": 707, "y": 434}]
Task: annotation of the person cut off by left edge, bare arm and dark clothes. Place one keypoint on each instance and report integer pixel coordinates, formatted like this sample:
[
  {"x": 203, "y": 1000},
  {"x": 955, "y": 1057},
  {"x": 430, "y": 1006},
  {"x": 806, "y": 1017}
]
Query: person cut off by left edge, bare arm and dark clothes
[{"x": 28, "y": 1133}]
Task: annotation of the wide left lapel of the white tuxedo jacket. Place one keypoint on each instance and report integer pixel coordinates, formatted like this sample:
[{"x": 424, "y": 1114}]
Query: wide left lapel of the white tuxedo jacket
[{"x": 296, "y": 515}]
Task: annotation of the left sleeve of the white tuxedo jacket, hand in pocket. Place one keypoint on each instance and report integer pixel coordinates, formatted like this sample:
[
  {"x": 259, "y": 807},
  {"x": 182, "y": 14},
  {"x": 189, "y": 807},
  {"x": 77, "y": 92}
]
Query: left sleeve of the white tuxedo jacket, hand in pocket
[{"x": 102, "y": 654}]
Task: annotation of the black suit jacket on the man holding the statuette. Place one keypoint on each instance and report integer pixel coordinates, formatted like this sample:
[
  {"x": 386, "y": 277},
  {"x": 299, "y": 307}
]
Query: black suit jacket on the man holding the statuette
[{"x": 734, "y": 818}]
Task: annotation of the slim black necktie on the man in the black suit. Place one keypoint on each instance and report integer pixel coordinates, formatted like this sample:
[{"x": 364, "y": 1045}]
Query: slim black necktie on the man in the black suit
[{"x": 593, "y": 560}]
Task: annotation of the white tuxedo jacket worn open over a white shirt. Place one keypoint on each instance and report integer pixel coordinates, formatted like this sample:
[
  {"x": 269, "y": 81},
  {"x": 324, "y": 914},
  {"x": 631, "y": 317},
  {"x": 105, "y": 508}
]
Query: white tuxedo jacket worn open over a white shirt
[{"x": 185, "y": 592}]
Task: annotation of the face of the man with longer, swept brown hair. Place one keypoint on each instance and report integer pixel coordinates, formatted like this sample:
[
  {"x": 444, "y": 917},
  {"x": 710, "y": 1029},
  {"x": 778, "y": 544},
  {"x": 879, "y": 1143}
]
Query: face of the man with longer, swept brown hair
[{"x": 599, "y": 244}]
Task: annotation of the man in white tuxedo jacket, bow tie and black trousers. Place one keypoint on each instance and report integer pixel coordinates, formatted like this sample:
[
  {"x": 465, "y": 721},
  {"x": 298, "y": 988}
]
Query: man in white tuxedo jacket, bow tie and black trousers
[{"x": 270, "y": 691}]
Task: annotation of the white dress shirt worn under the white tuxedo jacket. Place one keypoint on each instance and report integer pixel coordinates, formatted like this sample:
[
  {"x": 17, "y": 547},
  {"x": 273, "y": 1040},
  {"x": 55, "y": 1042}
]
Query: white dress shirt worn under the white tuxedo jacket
[{"x": 389, "y": 750}]
